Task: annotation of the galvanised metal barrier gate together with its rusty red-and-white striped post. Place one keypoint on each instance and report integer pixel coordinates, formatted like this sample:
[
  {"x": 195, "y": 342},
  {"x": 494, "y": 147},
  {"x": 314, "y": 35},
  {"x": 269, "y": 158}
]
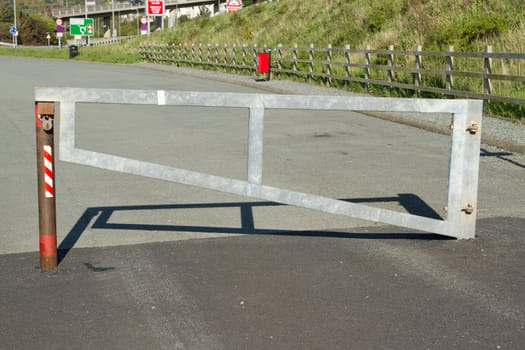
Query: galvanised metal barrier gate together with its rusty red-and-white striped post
[{"x": 463, "y": 171}]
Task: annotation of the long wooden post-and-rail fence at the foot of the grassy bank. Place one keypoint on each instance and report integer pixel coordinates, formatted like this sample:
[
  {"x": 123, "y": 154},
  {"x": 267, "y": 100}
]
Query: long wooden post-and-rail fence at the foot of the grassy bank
[{"x": 484, "y": 75}]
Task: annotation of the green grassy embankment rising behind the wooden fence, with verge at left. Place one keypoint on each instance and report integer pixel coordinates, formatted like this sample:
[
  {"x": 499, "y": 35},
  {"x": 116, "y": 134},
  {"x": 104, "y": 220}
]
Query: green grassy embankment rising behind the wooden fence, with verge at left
[{"x": 468, "y": 25}]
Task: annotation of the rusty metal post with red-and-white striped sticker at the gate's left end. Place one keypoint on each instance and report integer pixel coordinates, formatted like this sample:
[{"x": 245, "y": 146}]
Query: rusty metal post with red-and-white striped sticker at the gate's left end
[{"x": 44, "y": 119}]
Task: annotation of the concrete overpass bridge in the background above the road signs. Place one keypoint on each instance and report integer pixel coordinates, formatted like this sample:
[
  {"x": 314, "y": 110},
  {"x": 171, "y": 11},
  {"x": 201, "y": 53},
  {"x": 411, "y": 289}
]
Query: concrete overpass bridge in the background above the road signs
[{"x": 132, "y": 7}]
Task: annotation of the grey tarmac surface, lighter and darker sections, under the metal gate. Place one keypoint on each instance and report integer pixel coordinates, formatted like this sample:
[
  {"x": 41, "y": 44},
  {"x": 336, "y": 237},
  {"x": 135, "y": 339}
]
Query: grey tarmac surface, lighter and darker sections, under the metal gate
[{"x": 147, "y": 264}]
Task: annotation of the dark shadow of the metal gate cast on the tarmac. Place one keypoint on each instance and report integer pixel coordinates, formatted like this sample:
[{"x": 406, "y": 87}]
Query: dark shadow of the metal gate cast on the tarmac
[{"x": 413, "y": 204}]
